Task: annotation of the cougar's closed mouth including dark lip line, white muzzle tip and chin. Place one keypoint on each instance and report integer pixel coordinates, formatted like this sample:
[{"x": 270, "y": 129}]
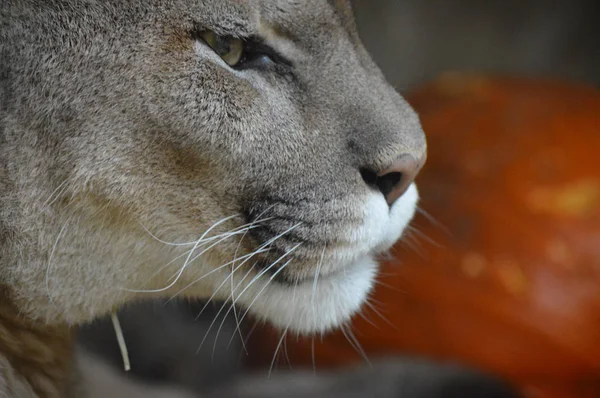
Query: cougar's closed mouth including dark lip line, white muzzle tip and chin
[{"x": 310, "y": 287}]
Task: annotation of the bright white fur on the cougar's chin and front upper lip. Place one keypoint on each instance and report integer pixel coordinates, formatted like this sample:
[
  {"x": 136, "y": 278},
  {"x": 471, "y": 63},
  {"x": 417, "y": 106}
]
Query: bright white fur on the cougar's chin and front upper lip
[{"x": 337, "y": 297}]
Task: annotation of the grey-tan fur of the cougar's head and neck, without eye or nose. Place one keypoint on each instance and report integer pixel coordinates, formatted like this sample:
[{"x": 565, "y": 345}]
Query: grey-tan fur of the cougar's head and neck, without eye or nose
[{"x": 121, "y": 131}]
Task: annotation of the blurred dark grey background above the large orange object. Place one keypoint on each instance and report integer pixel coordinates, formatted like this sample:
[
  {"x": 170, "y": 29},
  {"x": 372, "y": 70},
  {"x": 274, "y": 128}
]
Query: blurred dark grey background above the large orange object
[{"x": 414, "y": 40}]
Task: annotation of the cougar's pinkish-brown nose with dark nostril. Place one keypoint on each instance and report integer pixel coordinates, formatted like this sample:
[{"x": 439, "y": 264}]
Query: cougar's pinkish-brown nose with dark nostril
[{"x": 394, "y": 180}]
